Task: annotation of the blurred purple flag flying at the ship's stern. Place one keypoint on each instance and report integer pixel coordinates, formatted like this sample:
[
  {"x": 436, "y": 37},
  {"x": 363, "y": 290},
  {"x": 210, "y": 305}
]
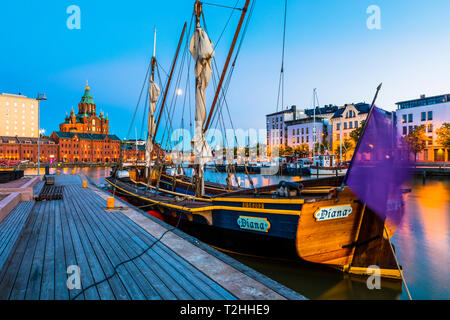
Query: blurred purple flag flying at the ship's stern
[{"x": 379, "y": 168}]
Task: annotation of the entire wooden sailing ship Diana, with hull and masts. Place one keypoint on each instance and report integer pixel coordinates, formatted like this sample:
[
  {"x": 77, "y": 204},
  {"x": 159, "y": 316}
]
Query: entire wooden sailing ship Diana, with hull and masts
[{"x": 319, "y": 221}]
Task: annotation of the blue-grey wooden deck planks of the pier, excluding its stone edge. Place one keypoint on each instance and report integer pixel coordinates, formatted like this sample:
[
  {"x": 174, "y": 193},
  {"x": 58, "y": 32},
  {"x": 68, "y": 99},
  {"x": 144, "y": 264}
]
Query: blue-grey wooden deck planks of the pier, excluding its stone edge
[{"x": 78, "y": 231}]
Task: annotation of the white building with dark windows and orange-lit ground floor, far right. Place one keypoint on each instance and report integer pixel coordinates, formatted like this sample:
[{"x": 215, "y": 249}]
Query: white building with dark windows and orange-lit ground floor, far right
[{"x": 431, "y": 112}]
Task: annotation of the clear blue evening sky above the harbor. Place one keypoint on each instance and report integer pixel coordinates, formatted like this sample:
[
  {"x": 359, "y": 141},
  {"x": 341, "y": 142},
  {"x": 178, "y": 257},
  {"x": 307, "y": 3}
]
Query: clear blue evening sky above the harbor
[{"x": 328, "y": 47}]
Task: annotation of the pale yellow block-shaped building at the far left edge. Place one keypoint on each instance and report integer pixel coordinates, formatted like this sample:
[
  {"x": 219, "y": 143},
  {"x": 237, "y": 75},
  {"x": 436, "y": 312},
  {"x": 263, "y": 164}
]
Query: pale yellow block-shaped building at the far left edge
[{"x": 19, "y": 116}]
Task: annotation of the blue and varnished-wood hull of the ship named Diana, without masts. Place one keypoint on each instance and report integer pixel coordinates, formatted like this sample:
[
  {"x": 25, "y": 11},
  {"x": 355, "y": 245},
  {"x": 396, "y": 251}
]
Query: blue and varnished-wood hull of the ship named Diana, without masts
[{"x": 288, "y": 228}]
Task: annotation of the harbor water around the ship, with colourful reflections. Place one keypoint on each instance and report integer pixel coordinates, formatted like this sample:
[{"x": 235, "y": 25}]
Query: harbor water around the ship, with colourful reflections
[{"x": 422, "y": 244}]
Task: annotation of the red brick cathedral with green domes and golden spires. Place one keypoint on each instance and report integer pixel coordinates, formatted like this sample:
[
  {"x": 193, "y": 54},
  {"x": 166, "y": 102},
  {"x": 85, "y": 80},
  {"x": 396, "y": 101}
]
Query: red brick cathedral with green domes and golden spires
[{"x": 86, "y": 120}]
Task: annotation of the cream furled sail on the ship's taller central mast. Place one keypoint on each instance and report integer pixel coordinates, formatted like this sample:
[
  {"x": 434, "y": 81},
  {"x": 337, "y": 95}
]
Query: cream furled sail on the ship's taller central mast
[{"x": 202, "y": 52}]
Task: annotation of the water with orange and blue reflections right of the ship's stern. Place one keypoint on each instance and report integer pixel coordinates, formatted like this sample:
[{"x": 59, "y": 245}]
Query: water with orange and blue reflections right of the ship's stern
[{"x": 423, "y": 240}]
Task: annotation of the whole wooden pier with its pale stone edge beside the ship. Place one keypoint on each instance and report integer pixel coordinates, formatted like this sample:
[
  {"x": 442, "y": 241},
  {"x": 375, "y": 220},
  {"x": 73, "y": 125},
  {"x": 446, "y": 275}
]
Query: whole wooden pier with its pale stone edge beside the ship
[{"x": 39, "y": 241}]
